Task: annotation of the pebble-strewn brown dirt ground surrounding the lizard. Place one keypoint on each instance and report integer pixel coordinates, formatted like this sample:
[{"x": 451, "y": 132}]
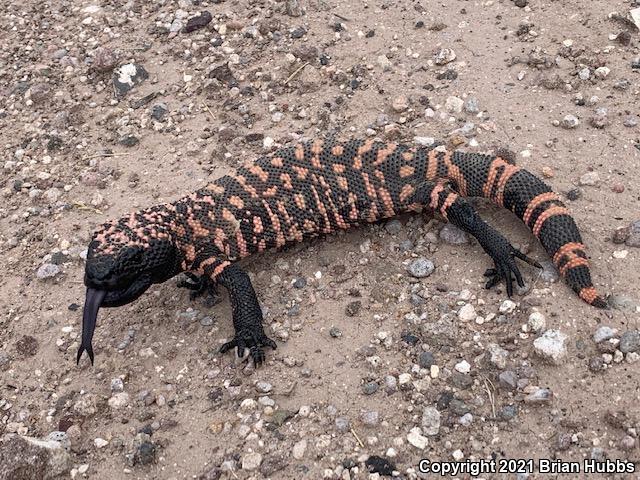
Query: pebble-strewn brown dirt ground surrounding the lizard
[{"x": 367, "y": 353}]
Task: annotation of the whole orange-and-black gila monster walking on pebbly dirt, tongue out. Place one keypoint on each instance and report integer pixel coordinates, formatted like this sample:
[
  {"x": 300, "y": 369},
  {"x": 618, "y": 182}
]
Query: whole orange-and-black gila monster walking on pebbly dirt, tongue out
[{"x": 314, "y": 188}]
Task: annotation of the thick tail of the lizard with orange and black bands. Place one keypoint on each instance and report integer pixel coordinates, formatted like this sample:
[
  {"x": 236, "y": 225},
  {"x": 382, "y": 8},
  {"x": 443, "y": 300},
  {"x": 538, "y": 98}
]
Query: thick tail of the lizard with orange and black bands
[{"x": 536, "y": 205}]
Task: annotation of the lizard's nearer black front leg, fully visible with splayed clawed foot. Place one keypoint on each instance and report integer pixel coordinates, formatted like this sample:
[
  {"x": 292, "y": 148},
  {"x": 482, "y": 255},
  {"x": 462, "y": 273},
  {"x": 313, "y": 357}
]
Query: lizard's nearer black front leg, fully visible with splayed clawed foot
[{"x": 247, "y": 315}]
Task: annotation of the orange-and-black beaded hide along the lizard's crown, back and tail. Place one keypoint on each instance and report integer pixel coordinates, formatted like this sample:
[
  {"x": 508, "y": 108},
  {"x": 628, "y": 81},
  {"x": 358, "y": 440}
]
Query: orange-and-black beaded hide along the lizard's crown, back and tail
[{"x": 320, "y": 187}]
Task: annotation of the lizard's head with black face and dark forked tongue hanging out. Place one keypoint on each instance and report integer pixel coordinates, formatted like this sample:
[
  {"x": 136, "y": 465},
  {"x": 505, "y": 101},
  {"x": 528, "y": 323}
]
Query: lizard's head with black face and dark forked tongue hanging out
[{"x": 124, "y": 259}]
